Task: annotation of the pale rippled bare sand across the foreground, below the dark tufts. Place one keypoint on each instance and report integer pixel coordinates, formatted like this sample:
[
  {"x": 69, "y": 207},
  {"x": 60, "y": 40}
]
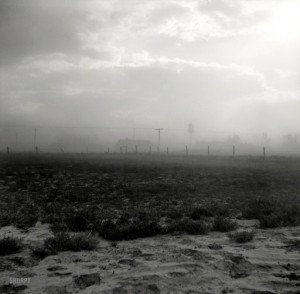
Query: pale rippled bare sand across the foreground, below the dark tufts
[{"x": 164, "y": 264}]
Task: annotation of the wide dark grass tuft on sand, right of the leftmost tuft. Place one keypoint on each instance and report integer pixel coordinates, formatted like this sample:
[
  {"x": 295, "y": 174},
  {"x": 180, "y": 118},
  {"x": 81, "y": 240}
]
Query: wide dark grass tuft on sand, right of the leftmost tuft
[{"x": 63, "y": 241}]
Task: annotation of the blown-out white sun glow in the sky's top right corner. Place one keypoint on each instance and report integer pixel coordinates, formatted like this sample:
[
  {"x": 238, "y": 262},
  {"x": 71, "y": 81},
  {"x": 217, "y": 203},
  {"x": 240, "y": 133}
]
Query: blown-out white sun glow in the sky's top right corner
[{"x": 284, "y": 24}]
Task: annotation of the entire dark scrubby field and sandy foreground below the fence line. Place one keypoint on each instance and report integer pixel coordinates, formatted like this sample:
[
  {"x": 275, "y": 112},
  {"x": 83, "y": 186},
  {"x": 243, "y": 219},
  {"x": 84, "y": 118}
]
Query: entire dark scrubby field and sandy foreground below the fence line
[{"x": 149, "y": 224}]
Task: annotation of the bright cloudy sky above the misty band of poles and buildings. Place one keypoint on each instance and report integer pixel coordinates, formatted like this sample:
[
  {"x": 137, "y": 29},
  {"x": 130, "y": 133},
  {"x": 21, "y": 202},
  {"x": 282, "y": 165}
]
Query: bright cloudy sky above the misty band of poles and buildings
[{"x": 223, "y": 65}]
